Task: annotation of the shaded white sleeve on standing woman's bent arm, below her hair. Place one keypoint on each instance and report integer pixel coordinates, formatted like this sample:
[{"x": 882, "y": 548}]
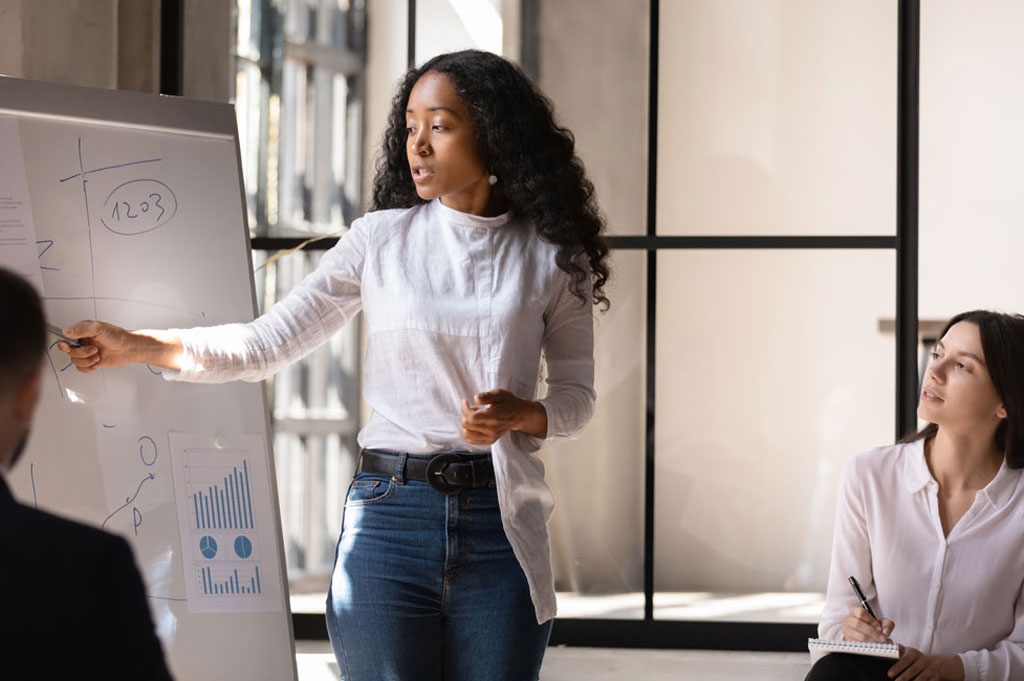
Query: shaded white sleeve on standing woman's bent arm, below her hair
[{"x": 569, "y": 351}]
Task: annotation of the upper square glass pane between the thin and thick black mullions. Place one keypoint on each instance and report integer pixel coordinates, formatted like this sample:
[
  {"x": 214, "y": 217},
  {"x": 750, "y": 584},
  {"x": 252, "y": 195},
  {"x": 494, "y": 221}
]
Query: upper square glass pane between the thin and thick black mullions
[{"x": 778, "y": 118}]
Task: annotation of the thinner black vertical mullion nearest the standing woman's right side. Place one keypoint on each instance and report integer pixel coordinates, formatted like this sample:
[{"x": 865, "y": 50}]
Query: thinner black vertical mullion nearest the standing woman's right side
[{"x": 649, "y": 509}]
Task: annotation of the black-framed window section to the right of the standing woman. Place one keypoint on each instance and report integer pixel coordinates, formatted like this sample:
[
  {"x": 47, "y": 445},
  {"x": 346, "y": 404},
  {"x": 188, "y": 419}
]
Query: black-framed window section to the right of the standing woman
[{"x": 746, "y": 156}]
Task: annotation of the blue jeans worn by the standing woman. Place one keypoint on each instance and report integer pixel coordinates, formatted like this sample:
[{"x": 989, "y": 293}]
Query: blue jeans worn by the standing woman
[{"x": 426, "y": 588}]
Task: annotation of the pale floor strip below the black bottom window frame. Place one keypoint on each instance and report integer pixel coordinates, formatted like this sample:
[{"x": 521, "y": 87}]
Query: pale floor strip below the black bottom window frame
[{"x": 564, "y": 664}]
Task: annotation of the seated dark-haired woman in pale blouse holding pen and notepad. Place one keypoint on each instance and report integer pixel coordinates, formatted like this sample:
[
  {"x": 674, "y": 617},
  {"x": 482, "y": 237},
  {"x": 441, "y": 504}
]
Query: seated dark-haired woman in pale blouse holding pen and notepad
[{"x": 933, "y": 527}]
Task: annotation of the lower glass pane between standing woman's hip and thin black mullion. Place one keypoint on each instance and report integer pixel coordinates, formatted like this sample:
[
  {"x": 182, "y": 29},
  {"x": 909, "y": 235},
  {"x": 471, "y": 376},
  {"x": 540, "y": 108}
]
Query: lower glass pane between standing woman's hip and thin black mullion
[{"x": 598, "y": 529}]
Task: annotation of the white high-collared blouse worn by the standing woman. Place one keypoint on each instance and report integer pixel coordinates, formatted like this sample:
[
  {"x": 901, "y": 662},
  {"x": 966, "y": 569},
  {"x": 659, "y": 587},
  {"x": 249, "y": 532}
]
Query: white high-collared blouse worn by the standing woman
[{"x": 455, "y": 305}]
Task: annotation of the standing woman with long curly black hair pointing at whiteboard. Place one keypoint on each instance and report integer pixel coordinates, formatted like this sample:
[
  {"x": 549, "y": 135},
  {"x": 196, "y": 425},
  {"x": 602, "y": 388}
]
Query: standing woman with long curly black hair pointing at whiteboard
[{"x": 482, "y": 251}]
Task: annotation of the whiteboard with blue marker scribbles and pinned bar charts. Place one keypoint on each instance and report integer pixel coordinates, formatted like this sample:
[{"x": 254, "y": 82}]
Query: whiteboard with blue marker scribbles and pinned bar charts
[{"x": 140, "y": 221}]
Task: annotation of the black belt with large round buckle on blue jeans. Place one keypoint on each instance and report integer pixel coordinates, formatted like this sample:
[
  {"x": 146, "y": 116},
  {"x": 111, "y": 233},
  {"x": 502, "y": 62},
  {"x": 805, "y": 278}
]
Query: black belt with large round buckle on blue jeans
[{"x": 449, "y": 474}]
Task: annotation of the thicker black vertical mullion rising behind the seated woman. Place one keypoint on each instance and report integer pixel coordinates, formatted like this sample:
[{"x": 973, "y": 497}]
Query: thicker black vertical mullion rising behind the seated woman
[{"x": 909, "y": 111}]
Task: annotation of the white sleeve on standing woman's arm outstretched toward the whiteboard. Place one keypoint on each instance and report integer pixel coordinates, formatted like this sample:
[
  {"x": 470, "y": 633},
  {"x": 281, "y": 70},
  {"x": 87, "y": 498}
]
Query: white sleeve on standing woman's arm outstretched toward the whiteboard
[{"x": 311, "y": 314}]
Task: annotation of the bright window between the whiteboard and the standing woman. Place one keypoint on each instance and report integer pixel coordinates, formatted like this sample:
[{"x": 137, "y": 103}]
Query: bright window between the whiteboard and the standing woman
[{"x": 300, "y": 81}]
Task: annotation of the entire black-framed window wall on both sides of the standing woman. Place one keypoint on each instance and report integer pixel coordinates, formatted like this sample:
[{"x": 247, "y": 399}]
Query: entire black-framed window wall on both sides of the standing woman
[{"x": 757, "y": 165}]
